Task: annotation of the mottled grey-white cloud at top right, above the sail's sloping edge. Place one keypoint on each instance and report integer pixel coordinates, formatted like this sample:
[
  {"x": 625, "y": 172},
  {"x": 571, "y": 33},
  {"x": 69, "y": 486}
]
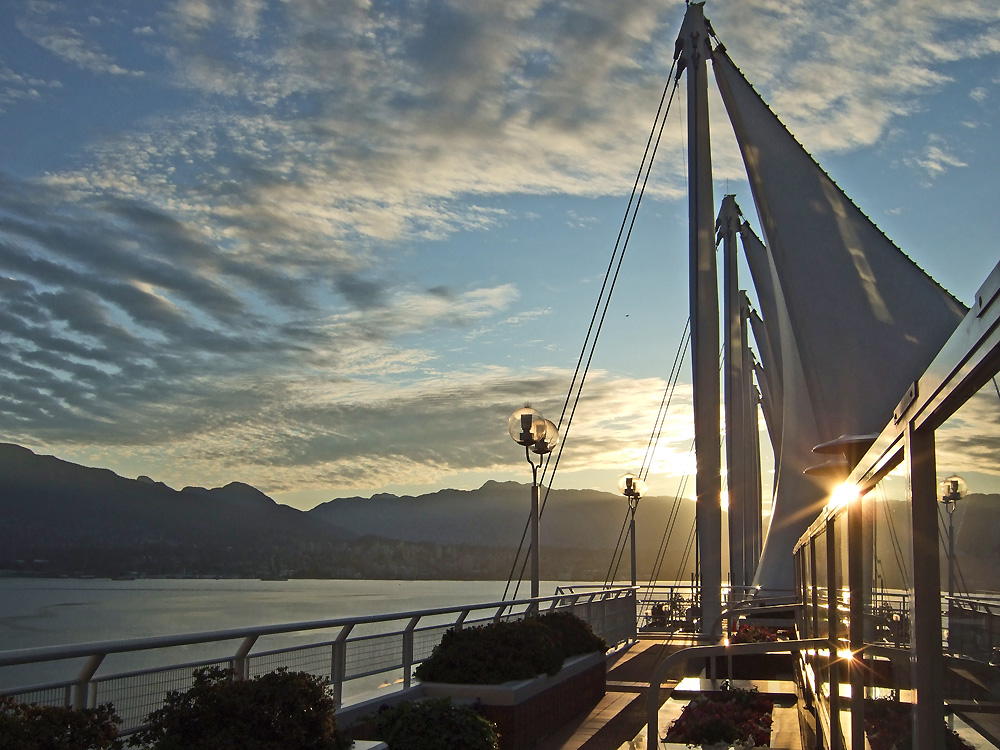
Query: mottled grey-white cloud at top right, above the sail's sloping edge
[{"x": 830, "y": 82}]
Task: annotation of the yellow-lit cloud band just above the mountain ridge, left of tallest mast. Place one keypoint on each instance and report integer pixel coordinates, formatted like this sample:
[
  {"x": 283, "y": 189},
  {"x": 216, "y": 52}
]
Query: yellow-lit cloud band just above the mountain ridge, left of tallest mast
[{"x": 285, "y": 433}]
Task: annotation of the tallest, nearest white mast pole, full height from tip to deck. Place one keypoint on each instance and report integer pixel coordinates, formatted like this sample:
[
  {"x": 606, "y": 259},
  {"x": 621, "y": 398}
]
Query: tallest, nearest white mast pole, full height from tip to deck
[{"x": 693, "y": 48}]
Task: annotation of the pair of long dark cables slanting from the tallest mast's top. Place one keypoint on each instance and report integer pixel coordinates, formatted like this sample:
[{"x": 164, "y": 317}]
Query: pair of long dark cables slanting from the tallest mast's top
[{"x": 619, "y": 253}]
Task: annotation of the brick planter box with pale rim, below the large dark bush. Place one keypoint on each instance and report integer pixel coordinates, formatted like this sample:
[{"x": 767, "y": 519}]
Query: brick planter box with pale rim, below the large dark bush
[{"x": 528, "y": 710}]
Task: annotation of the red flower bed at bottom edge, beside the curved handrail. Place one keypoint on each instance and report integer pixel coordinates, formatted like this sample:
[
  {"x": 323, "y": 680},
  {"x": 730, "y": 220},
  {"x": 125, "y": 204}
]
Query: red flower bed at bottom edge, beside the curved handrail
[{"x": 731, "y": 716}]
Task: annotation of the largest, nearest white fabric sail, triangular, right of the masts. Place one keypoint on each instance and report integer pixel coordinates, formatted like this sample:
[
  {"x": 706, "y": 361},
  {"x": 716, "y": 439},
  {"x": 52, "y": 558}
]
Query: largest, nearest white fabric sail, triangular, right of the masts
[{"x": 855, "y": 321}]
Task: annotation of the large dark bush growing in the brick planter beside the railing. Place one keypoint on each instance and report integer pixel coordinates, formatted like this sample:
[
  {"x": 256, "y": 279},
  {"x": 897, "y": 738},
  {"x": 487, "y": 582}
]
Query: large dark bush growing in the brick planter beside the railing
[{"x": 504, "y": 651}]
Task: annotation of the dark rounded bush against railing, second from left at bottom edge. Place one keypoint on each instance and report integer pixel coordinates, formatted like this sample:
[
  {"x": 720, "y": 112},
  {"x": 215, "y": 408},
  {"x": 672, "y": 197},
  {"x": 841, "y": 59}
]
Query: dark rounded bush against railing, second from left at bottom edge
[{"x": 276, "y": 711}]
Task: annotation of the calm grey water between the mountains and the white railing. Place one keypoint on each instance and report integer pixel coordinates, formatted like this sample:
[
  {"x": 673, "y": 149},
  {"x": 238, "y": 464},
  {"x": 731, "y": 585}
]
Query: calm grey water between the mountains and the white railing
[{"x": 49, "y": 612}]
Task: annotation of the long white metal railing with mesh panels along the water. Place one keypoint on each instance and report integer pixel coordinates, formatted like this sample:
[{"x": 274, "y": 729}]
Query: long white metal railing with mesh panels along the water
[{"x": 352, "y": 650}]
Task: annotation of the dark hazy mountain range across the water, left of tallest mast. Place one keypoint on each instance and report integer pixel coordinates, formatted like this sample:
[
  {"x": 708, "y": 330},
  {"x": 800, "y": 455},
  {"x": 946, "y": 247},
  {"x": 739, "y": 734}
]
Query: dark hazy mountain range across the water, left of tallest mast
[{"x": 57, "y": 517}]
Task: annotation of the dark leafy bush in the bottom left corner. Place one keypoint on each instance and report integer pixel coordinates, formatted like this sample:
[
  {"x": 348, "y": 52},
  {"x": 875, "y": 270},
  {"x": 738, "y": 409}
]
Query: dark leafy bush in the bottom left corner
[{"x": 30, "y": 727}]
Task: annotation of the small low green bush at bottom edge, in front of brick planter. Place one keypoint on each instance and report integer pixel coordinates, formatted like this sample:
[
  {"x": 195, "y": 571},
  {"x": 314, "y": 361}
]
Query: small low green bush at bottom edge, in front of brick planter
[{"x": 434, "y": 724}]
